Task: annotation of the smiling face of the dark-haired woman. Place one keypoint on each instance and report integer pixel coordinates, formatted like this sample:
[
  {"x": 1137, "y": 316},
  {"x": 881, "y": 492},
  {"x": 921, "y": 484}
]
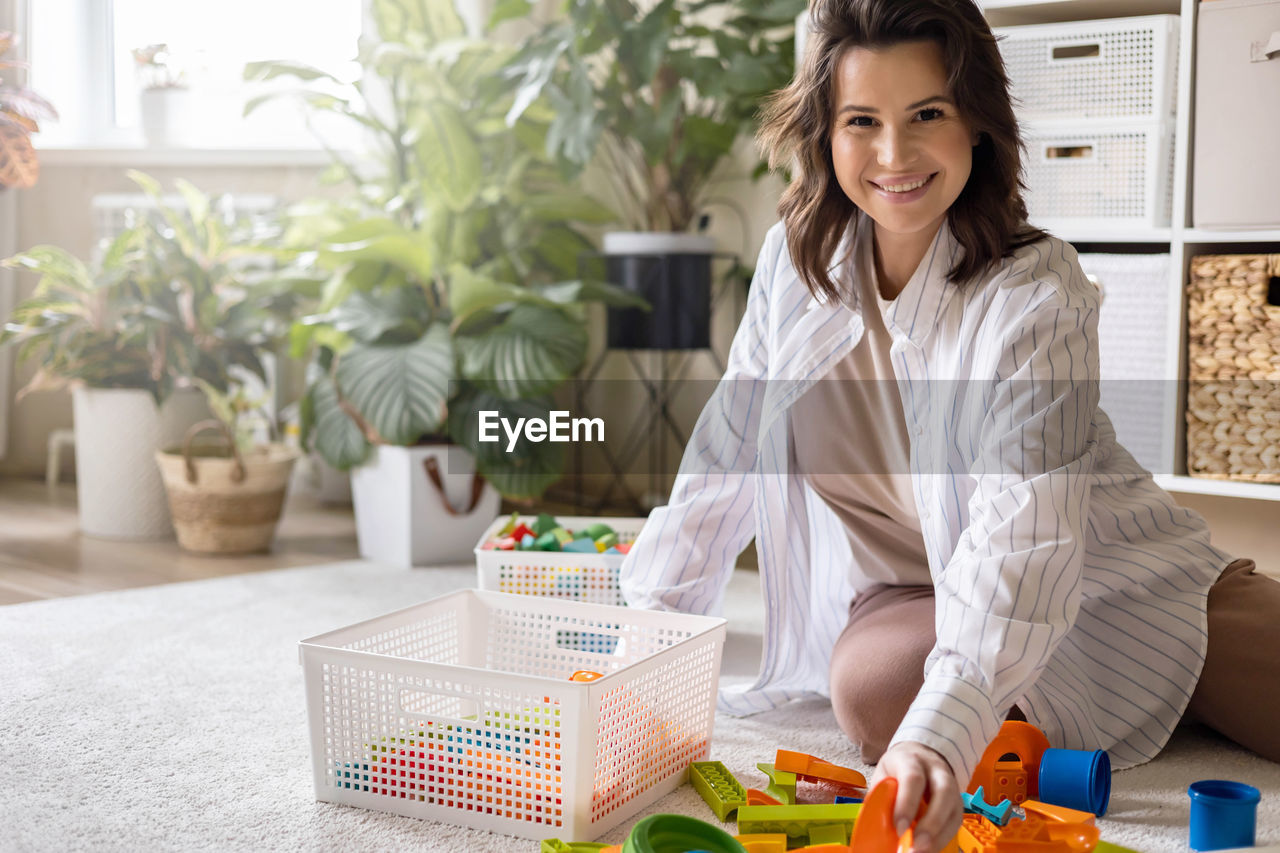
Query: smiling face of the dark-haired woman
[{"x": 900, "y": 149}]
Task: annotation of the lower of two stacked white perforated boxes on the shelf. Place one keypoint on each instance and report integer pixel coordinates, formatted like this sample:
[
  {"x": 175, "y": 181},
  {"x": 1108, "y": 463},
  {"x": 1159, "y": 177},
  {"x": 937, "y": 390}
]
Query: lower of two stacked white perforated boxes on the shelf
[{"x": 1104, "y": 175}]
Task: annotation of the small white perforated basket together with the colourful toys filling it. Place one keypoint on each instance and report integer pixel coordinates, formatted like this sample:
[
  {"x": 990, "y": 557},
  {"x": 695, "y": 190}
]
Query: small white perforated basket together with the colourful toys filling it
[{"x": 569, "y": 558}]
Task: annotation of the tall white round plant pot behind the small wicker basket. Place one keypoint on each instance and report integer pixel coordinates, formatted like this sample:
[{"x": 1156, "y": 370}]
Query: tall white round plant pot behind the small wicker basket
[{"x": 118, "y": 432}]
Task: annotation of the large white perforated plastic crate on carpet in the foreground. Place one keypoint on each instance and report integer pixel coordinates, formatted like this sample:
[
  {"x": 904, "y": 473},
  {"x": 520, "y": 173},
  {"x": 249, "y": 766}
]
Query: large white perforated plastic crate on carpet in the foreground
[{"x": 461, "y": 710}]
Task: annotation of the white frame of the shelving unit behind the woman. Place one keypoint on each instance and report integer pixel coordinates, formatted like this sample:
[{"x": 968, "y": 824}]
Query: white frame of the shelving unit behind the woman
[{"x": 1181, "y": 241}]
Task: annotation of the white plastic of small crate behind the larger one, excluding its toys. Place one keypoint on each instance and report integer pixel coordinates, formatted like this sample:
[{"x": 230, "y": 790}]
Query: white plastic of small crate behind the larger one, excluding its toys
[{"x": 559, "y": 574}]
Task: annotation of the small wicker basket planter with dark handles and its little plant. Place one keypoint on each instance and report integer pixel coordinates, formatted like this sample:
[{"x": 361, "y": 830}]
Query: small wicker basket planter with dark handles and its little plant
[{"x": 226, "y": 498}]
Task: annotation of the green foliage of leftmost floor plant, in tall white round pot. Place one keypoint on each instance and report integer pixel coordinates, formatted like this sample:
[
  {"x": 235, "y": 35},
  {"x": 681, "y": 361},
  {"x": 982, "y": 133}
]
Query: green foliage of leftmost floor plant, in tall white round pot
[{"x": 182, "y": 297}]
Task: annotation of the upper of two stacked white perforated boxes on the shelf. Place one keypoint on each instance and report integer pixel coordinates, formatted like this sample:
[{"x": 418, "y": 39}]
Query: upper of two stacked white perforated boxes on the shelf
[{"x": 1118, "y": 69}]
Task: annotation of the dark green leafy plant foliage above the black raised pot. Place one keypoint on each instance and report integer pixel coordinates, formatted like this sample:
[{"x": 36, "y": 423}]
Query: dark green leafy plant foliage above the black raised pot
[{"x": 659, "y": 93}]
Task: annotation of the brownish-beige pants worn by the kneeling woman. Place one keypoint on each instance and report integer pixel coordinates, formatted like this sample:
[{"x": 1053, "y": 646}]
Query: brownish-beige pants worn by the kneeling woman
[{"x": 877, "y": 667}]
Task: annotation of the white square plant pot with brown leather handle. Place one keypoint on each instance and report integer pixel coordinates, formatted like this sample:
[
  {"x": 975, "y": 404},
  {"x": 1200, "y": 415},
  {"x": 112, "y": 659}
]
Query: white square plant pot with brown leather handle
[{"x": 401, "y": 519}]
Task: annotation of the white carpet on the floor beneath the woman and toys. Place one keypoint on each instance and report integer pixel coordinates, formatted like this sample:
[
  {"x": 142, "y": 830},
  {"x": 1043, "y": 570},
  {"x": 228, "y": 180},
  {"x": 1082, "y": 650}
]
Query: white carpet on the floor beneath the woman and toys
[{"x": 172, "y": 719}]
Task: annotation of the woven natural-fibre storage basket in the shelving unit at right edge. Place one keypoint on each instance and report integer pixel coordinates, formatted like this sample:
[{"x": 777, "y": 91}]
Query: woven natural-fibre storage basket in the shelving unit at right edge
[{"x": 1233, "y": 396}]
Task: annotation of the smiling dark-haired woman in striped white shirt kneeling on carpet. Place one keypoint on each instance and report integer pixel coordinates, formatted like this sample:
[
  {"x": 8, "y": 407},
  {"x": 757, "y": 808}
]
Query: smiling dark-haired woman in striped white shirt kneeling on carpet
[{"x": 952, "y": 475}]
